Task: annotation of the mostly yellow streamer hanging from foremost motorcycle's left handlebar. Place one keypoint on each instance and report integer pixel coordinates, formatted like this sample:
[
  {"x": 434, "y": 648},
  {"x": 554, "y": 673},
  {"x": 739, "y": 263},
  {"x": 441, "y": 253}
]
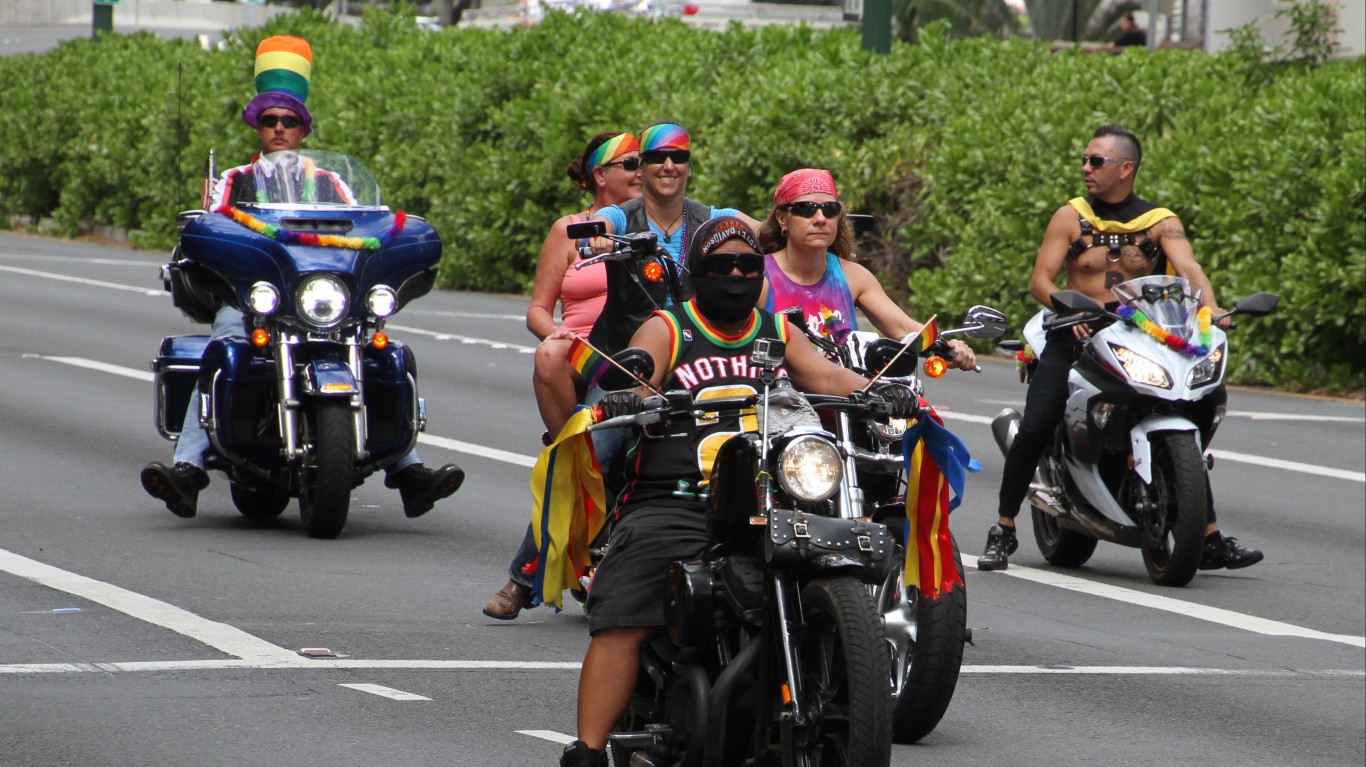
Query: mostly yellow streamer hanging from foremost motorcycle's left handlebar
[{"x": 569, "y": 509}]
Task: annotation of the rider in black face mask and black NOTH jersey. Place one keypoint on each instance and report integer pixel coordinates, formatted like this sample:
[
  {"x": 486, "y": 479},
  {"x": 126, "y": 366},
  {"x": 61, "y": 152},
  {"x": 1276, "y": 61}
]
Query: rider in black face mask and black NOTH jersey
[{"x": 703, "y": 347}]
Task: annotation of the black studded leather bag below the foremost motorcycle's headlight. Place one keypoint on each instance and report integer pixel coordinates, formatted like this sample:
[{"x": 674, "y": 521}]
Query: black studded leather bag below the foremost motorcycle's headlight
[{"x": 812, "y": 542}]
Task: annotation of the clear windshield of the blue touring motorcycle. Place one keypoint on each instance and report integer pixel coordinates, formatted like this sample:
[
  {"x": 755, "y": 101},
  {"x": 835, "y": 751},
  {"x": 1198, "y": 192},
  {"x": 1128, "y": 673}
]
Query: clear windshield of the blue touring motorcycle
[{"x": 307, "y": 178}]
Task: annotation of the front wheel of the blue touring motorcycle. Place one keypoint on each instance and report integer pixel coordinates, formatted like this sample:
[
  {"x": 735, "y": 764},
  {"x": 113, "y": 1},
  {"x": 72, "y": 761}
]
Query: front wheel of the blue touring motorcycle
[{"x": 326, "y": 487}]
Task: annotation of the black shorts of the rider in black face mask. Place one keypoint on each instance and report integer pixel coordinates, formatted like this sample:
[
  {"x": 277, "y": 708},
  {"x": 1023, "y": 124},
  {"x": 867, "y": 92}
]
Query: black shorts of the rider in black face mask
[{"x": 629, "y": 584}]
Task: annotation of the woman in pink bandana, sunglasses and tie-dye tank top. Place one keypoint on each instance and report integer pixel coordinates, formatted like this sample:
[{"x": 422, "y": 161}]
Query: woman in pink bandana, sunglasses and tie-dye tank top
[{"x": 809, "y": 247}]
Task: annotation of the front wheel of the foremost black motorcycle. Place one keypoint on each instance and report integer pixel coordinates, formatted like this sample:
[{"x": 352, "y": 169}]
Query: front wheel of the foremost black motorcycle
[{"x": 844, "y": 672}]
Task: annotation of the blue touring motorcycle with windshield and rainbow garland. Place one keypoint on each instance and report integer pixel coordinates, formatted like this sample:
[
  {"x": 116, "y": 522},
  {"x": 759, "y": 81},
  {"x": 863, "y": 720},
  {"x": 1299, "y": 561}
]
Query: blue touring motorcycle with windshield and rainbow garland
[{"x": 312, "y": 397}]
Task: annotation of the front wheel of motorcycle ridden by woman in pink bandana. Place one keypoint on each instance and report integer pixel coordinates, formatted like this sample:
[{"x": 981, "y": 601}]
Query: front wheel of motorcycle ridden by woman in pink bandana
[{"x": 935, "y": 660}]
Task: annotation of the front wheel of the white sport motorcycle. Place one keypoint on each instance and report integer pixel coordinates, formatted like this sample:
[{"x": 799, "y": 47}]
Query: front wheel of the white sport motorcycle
[{"x": 1174, "y": 535}]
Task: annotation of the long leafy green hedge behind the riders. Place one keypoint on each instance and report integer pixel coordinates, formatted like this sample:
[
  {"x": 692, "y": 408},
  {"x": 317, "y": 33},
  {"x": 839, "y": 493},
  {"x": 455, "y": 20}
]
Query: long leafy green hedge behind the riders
[{"x": 964, "y": 150}]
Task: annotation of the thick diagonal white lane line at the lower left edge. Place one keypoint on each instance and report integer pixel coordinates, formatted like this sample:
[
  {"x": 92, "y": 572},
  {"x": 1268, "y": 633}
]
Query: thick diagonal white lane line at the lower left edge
[{"x": 219, "y": 636}]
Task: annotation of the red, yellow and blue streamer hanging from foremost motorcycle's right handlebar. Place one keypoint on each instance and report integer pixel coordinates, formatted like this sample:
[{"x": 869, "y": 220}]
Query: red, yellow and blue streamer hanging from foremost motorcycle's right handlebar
[{"x": 936, "y": 464}]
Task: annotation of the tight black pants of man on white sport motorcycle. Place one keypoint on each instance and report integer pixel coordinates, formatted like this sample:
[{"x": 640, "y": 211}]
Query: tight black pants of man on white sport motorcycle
[{"x": 1044, "y": 407}]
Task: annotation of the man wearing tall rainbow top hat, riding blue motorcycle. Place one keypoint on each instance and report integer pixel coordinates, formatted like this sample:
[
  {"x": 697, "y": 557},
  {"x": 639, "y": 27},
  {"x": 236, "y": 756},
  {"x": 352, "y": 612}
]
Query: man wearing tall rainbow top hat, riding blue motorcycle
[{"x": 282, "y": 121}]
